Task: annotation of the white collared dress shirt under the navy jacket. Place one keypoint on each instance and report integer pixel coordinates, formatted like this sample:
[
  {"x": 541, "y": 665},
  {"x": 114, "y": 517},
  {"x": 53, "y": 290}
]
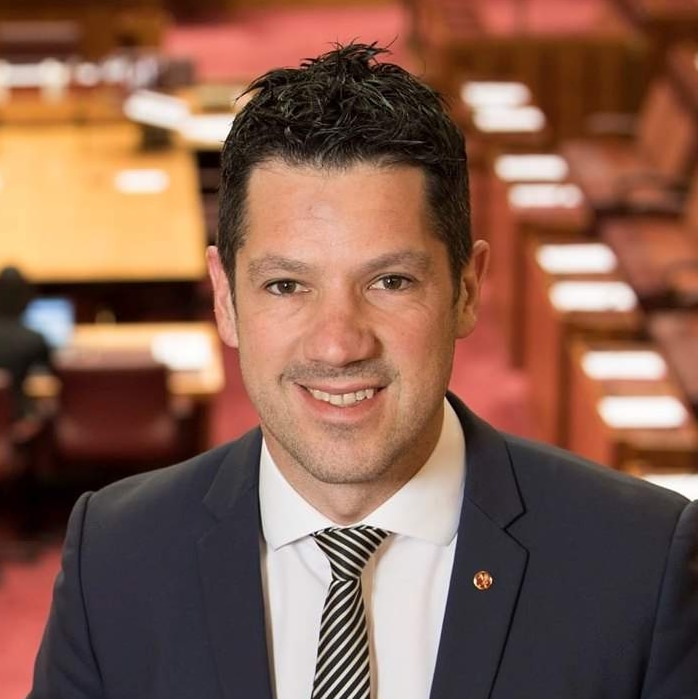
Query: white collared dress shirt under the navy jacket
[{"x": 405, "y": 583}]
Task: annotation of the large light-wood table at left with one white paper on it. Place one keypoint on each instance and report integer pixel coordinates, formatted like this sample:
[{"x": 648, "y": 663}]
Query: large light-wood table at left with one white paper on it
[{"x": 63, "y": 220}]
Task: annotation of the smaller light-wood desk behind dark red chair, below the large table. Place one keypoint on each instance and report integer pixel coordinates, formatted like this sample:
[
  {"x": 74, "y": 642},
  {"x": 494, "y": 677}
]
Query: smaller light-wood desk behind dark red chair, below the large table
[{"x": 200, "y": 382}]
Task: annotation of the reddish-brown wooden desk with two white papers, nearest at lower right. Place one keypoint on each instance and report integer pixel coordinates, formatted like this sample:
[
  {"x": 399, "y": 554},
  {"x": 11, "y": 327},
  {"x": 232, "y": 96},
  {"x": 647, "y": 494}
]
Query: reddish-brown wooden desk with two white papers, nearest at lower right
[{"x": 633, "y": 448}]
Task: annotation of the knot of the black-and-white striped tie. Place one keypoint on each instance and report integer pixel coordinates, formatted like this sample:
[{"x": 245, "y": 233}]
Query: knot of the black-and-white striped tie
[{"x": 349, "y": 548}]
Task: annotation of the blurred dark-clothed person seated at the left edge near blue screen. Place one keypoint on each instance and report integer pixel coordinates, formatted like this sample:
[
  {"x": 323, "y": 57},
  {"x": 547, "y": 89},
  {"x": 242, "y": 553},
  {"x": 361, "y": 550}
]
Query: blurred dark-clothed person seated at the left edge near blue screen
[{"x": 21, "y": 349}]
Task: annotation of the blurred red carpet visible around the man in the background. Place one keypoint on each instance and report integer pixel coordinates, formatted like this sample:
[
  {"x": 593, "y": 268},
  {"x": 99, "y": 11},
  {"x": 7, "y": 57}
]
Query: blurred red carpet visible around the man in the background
[{"x": 253, "y": 43}]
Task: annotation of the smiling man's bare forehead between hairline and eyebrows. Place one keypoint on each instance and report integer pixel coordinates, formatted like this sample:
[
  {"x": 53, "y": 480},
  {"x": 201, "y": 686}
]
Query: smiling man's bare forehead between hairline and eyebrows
[{"x": 290, "y": 203}]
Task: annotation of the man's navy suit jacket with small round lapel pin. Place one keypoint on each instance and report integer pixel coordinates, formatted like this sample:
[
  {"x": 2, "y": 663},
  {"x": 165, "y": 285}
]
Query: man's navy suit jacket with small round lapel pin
[{"x": 595, "y": 588}]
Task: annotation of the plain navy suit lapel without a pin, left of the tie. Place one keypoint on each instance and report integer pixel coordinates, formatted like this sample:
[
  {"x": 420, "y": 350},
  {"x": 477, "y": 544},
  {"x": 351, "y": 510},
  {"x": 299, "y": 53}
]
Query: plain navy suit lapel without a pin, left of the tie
[{"x": 229, "y": 564}]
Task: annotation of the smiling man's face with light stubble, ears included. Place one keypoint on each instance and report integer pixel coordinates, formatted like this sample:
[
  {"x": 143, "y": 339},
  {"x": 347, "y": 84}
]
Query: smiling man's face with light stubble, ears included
[{"x": 345, "y": 321}]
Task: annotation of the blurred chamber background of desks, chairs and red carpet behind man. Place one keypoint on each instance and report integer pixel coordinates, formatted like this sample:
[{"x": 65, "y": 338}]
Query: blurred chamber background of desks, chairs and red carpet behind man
[{"x": 581, "y": 119}]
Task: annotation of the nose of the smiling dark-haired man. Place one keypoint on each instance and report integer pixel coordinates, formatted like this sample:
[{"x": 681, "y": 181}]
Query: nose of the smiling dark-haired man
[{"x": 341, "y": 331}]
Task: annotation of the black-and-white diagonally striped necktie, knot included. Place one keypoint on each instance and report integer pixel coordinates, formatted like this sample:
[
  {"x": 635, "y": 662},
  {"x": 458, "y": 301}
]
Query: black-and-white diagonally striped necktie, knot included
[{"x": 342, "y": 668}]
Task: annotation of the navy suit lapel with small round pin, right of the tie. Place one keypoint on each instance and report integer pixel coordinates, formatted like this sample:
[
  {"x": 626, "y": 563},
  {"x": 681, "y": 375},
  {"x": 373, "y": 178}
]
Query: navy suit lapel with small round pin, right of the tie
[{"x": 477, "y": 621}]
